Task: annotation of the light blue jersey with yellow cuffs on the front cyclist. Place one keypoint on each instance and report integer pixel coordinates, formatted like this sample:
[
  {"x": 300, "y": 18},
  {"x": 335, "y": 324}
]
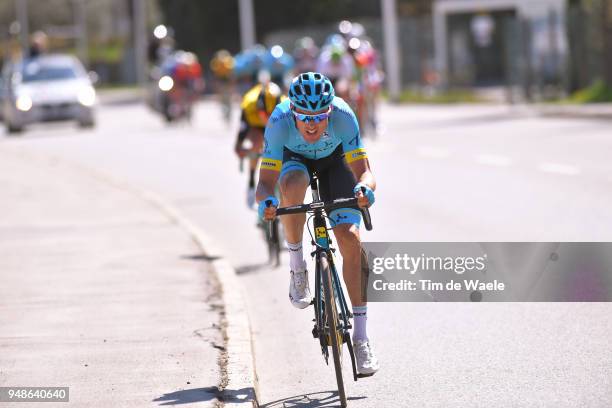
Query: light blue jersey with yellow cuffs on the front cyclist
[{"x": 282, "y": 132}]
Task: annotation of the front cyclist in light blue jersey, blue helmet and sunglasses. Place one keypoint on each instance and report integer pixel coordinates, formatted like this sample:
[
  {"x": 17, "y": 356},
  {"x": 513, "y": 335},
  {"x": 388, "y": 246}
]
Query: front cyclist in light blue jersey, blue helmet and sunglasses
[{"x": 315, "y": 131}]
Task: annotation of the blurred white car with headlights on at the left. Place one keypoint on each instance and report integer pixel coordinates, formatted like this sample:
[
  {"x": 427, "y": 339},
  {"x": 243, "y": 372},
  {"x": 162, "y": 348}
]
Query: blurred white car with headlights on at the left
[{"x": 47, "y": 88}]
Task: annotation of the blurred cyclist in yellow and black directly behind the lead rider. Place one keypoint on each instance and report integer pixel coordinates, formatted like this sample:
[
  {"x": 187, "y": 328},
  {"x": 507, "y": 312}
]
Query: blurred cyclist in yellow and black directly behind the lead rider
[{"x": 257, "y": 105}]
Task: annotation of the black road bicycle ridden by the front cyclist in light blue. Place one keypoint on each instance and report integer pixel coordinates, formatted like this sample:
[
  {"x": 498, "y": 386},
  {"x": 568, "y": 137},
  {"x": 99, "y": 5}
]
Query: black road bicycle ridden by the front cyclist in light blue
[{"x": 332, "y": 315}]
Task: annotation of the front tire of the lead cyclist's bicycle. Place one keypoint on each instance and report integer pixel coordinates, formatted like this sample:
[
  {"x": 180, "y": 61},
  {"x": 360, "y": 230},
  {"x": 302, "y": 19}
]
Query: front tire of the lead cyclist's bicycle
[{"x": 332, "y": 322}]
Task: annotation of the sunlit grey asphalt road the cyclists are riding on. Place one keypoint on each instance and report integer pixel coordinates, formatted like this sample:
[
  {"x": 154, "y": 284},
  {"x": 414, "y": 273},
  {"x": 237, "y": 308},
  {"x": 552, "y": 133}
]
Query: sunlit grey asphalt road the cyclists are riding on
[{"x": 463, "y": 173}]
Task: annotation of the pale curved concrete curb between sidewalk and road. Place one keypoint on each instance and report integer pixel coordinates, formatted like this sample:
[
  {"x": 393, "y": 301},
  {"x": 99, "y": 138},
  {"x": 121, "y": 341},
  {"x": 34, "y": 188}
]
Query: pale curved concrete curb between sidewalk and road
[{"x": 239, "y": 381}]
